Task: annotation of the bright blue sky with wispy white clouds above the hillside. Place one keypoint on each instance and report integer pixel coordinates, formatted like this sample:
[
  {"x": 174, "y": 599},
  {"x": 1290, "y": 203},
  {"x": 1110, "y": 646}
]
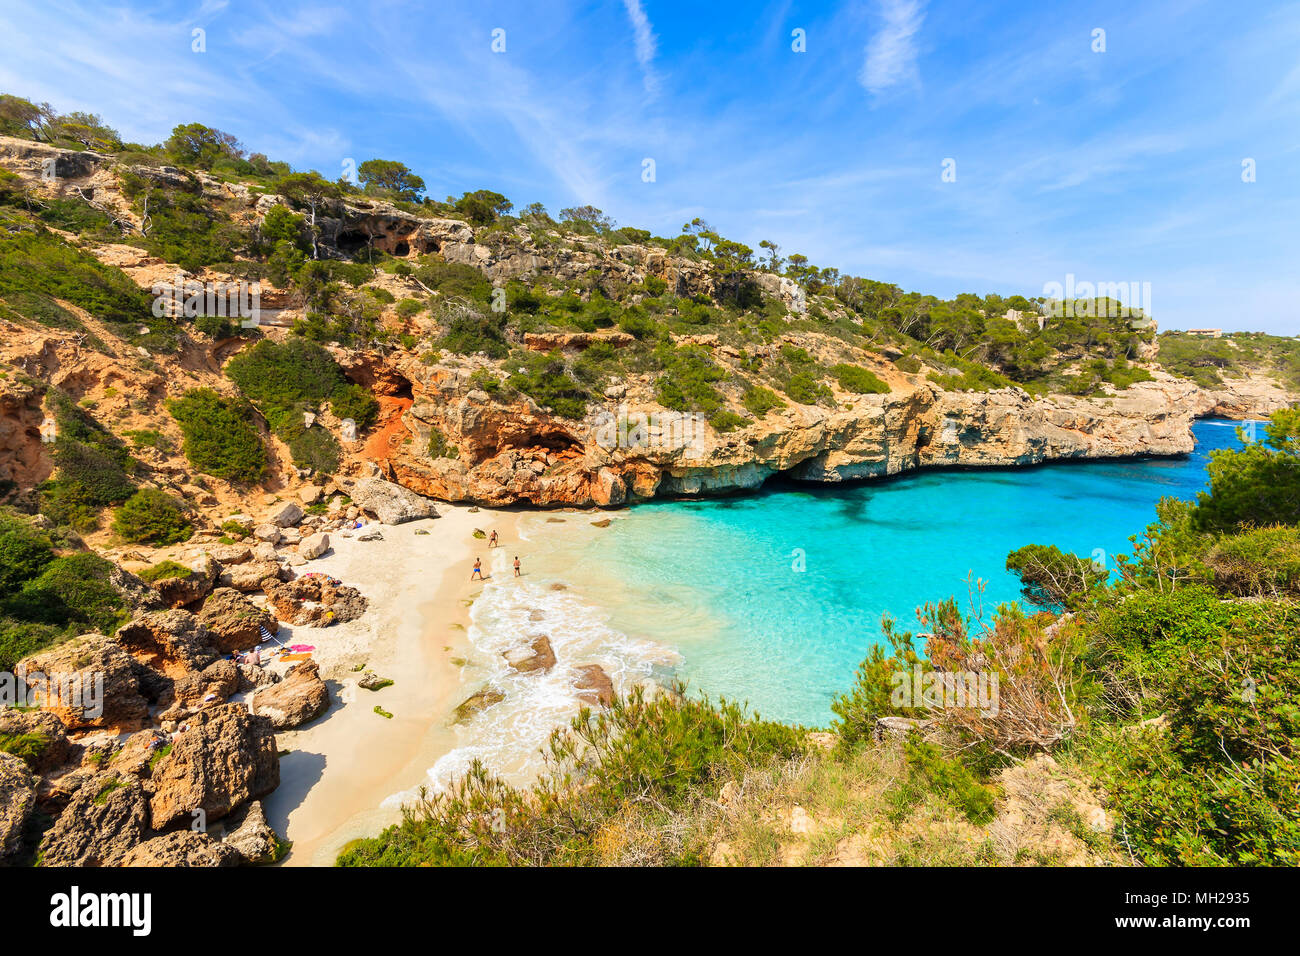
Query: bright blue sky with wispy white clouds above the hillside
[{"x": 1117, "y": 166}]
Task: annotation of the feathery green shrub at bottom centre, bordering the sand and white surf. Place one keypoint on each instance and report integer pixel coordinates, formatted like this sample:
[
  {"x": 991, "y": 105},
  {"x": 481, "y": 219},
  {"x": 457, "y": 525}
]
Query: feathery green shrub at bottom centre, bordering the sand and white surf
[{"x": 656, "y": 755}]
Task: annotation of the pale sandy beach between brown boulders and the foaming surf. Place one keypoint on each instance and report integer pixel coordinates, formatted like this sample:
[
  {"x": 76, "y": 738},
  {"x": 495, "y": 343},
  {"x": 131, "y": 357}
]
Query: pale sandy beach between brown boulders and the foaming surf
[{"x": 337, "y": 772}]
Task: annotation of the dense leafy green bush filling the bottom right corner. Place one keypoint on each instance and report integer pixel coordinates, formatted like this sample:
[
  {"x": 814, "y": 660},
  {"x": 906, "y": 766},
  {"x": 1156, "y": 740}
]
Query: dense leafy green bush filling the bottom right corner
[{"x": 1217, "y": 788}]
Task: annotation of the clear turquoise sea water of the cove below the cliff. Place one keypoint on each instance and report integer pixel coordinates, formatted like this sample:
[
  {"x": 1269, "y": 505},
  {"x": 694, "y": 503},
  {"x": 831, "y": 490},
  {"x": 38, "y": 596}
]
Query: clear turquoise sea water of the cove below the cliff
[{"x": 718, "y": 581}]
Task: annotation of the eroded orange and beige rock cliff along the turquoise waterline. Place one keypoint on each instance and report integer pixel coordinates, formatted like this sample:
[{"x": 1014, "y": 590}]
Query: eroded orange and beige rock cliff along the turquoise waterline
[{"x": 518, "y": 453}]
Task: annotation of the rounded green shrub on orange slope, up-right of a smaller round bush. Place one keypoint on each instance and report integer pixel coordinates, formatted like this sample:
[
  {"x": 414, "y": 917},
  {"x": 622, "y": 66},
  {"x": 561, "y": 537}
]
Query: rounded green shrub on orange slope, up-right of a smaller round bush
[{"x": 220, "y": 439}]
